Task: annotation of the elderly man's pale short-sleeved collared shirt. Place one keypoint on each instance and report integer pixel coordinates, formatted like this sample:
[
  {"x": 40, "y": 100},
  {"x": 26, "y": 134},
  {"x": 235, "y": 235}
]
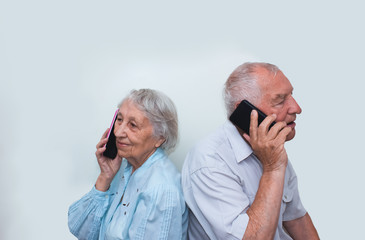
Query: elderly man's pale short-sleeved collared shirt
[{"x": 220, "y": 178}]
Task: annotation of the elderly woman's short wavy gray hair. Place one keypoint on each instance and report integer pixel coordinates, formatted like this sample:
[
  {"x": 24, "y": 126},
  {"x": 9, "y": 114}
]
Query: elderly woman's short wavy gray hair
[{"x": 161, "y": 112}]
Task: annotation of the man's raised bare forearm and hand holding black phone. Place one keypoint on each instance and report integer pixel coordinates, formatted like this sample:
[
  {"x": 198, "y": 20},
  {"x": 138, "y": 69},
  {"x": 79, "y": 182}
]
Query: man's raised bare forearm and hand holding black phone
[{"x": 268, "y": 146}]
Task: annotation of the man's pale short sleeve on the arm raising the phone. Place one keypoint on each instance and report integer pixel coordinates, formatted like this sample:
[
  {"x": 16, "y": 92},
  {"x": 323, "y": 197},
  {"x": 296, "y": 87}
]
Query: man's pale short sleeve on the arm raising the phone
[{"x": 221, "y": 201}]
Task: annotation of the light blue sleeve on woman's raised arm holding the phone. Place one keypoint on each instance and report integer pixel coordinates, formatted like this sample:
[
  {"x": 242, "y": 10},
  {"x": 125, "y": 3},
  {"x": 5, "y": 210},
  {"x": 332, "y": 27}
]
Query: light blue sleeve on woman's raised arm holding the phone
[{"x": 85, "y": 215}]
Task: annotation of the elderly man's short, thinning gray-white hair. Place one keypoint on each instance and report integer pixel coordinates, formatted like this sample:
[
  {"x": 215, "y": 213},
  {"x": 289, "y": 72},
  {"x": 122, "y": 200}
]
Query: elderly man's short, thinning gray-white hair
[{"x": 243, "y": 84}]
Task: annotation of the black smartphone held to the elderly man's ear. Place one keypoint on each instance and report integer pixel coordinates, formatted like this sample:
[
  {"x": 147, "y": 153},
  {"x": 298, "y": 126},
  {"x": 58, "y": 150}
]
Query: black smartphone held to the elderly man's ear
[{"x": 241, "y": 117}]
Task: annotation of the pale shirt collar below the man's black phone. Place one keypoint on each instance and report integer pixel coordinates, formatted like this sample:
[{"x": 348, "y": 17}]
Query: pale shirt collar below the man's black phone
[{"x": 239, "y": 146}]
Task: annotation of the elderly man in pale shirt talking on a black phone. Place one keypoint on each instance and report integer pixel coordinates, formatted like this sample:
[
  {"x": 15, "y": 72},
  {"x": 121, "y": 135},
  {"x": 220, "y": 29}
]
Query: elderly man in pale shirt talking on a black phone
[{"x": 241, "y": 185}]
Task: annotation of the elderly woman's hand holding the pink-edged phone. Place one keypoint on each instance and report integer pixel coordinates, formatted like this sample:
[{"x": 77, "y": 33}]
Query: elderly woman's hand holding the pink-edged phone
[{"x": 108, "y": 167}]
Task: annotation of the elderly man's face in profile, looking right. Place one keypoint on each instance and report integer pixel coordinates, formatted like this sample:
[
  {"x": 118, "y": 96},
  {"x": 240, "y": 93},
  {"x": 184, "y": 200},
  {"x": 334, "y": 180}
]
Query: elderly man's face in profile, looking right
[{"x": 277, "y": 98}]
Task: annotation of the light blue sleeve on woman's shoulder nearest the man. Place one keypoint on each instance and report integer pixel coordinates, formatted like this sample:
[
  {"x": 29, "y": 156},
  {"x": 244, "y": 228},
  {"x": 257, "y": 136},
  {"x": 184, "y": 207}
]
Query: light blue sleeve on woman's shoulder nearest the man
[{"x": 160, "y": 214}]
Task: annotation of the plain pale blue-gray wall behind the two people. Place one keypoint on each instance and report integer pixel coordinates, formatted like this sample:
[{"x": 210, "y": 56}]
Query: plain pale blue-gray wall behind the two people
[{"x": 65, "y": 65}]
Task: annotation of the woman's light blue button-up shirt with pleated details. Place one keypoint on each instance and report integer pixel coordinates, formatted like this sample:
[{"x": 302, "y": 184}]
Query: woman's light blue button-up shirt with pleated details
[{"x": 152, "y": 207}]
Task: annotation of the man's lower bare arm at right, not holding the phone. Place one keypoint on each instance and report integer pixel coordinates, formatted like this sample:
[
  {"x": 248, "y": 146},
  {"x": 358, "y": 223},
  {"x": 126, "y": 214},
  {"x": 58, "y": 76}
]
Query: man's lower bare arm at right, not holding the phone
[{"x": 301, "y": 228}]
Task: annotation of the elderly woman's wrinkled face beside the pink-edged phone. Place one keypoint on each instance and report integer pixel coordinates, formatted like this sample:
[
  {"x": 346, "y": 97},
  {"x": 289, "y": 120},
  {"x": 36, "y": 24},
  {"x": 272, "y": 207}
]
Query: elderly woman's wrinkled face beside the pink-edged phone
[{"x": 134, "y": 135}]
